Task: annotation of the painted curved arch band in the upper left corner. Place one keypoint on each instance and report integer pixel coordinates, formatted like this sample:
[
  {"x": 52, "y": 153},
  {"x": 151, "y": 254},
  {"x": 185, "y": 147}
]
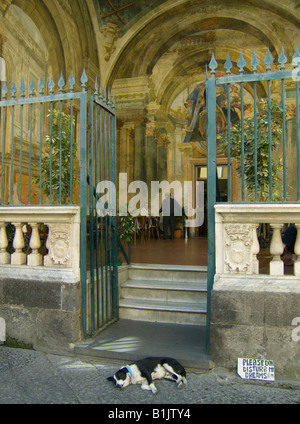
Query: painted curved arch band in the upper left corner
[{"x": 67, "y": 31}]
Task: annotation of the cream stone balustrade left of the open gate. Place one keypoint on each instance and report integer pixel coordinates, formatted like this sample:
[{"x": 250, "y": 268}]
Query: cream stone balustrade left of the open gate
[{"x": 61, "y": 242}]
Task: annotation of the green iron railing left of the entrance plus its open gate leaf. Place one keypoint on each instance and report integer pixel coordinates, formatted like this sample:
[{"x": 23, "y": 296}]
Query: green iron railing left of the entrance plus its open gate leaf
[{"x": 55, "y": 148}]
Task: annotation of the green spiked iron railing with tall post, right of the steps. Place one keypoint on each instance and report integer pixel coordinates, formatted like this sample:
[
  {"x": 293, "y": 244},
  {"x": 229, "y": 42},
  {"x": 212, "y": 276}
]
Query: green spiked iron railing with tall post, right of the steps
[{"x": 261, "y": 140}]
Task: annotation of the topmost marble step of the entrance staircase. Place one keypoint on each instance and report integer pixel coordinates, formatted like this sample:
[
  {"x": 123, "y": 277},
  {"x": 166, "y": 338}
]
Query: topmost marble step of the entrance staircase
[{"x": 167, "y": 272}]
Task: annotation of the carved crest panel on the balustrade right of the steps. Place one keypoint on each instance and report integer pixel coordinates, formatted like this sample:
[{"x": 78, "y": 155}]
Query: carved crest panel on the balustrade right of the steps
[{"x": 241, "y": 248}]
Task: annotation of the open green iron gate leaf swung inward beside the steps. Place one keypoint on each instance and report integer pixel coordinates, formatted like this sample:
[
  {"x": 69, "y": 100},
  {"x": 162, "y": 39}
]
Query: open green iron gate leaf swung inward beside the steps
[{"x": 102, "y": 283}]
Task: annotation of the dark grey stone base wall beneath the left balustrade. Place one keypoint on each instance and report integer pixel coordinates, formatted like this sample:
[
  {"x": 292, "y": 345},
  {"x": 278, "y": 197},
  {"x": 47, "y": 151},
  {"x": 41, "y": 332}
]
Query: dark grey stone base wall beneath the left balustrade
[{"x": 44, "y": 314}]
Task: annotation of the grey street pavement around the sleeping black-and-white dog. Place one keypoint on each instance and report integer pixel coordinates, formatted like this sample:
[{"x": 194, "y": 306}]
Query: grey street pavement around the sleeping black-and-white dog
[{"x": 31, "y": 377}]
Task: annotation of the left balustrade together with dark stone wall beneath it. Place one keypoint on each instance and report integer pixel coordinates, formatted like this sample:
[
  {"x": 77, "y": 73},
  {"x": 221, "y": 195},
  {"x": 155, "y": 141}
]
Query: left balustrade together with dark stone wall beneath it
[{"x": 40, "y": 293}]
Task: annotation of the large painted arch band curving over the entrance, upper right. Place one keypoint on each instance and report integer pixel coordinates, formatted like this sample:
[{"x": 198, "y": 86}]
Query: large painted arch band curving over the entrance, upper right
[{"x": 150, "y": 39}]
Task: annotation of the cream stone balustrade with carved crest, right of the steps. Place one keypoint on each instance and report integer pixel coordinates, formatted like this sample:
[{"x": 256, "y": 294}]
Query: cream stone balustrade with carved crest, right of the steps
[{"x": 237, "y": 244}]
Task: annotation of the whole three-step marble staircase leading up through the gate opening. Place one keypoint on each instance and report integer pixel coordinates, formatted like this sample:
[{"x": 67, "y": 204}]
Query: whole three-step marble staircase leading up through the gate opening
[{"x": 164, "y": 293}]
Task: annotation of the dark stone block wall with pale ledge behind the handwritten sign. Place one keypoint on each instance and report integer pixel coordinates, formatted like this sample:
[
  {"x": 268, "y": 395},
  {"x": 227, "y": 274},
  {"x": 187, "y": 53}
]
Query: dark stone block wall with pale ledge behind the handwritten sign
[{"x": 254, "y": 317}]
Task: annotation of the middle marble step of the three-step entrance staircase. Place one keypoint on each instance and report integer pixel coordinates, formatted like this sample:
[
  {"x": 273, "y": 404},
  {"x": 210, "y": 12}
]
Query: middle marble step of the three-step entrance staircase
[{"x": 192, "y": 291}]
